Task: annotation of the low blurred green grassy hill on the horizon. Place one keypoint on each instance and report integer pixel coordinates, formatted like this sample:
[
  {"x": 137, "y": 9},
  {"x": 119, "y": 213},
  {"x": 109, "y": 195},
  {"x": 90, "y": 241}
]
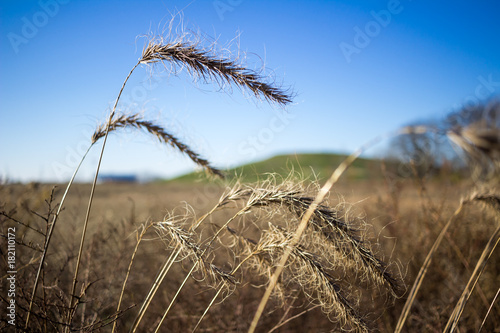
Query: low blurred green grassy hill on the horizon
[{"x": 320, "y": 164}]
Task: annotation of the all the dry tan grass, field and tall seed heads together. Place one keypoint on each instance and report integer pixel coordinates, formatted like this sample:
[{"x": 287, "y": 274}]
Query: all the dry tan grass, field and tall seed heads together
[{"x": 277, "y": 255}]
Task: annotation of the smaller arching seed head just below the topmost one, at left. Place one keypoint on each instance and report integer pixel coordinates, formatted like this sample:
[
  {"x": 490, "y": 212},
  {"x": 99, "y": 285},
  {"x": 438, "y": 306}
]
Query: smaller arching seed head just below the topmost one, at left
[{"x": 135, "y": 121}]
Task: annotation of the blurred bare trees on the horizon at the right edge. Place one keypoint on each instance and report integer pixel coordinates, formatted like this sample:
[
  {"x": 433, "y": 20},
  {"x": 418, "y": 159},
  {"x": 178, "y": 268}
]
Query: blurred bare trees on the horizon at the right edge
[{"x": 466, "y": 140}]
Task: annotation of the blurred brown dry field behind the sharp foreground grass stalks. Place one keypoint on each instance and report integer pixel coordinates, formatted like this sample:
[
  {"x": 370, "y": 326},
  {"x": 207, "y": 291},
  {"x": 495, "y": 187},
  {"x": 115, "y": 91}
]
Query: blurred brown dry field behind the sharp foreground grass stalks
[{"x": 404, "y": 217}]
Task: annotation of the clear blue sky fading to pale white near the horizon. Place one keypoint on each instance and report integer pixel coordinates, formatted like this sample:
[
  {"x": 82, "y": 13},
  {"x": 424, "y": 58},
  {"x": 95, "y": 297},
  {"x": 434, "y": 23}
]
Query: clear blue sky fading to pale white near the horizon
[{"x": 358, "y": 68}]
